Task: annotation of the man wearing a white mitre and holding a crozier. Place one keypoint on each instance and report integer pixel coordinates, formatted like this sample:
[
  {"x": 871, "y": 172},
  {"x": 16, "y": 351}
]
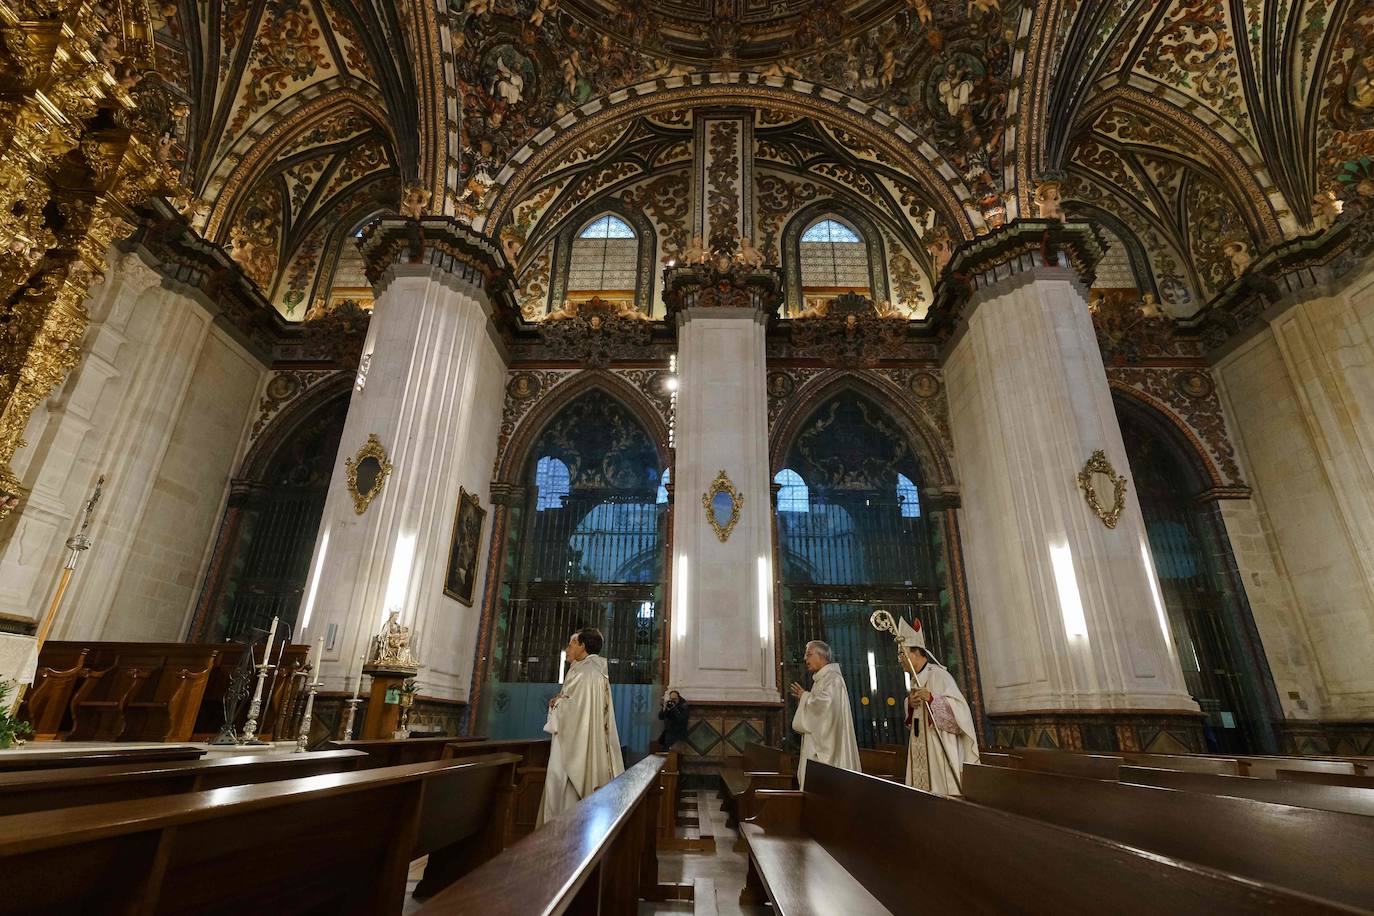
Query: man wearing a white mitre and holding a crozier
[{"x": 939, "y": 719}]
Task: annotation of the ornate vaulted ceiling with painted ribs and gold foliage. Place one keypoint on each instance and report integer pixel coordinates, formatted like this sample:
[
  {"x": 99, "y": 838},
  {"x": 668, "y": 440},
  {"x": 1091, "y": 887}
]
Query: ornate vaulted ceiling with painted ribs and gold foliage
[{"x": 1186, "y": 127}]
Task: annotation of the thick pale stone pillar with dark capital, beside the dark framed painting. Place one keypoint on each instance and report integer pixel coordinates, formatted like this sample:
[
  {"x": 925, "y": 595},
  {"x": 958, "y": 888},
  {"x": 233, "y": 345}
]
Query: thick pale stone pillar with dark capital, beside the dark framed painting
[{"x": 431, "y": 389}]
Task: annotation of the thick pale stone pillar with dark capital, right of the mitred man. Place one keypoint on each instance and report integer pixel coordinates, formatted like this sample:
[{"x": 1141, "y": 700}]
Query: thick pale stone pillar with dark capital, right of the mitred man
[{"x": 1067, "y": 610}]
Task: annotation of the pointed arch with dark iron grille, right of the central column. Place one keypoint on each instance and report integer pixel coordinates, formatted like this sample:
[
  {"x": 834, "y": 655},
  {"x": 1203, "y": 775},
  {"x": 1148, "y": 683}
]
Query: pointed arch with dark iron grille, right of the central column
[{"x": 854, "y": 538}]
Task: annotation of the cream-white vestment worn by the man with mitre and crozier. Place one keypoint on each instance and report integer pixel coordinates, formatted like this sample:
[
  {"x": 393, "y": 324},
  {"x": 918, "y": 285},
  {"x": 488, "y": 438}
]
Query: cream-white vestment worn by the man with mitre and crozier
[{"x": 943, "y": 737}]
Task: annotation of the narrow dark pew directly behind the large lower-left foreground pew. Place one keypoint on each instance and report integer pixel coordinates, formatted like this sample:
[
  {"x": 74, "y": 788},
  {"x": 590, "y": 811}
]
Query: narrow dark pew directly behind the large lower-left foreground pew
[{"x": 45, "y": 790}]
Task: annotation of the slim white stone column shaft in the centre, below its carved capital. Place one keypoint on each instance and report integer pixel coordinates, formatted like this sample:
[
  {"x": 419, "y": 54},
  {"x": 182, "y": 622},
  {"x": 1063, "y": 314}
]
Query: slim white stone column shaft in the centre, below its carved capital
[{"x": 722, "y": 606}]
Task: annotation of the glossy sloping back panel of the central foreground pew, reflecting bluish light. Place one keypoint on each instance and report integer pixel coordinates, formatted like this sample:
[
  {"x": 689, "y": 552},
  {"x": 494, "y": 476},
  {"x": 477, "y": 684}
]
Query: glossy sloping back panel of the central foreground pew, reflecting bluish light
[{"x": 543, "y": 874}]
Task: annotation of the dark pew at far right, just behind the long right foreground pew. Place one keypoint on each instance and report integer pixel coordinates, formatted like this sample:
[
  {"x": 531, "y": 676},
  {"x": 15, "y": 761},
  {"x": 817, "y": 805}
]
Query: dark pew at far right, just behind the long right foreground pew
[{"x": 1321, "y": 854}]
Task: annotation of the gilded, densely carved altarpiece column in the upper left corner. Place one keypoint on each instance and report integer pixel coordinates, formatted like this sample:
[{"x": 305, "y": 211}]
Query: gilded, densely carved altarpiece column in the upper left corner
[{"x": 76, "y": 154}]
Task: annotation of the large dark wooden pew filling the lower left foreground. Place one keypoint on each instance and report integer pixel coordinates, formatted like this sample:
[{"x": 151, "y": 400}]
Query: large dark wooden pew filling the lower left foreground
[{"x": 339, "y": 844}]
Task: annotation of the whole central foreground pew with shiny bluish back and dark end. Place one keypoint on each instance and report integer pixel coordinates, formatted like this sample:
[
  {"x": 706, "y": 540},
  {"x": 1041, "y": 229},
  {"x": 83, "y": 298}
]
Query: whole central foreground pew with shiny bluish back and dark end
[{"x": 596, "y": 860}]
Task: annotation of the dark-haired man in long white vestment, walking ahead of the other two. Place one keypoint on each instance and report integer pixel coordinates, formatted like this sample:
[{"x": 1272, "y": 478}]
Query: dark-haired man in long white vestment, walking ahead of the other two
[{"x": 585, "y": 752}]
